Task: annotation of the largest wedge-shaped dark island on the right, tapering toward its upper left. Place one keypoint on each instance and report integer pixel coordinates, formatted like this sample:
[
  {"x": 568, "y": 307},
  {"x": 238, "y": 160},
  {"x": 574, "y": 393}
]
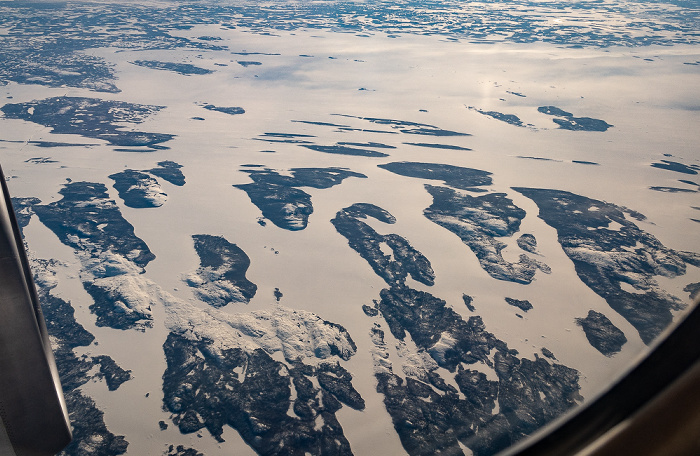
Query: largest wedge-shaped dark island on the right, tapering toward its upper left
[{"x": 609, "y": 250}]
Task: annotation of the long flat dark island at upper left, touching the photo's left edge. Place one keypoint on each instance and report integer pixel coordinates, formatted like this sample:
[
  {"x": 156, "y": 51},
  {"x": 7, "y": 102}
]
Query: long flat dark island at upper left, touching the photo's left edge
[{"x": 90, "y": 117}]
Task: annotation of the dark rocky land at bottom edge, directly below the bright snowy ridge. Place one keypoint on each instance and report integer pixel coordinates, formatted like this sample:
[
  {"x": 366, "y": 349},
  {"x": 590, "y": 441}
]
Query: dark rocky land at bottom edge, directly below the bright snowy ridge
[{"x": 276, "y": 407}]
